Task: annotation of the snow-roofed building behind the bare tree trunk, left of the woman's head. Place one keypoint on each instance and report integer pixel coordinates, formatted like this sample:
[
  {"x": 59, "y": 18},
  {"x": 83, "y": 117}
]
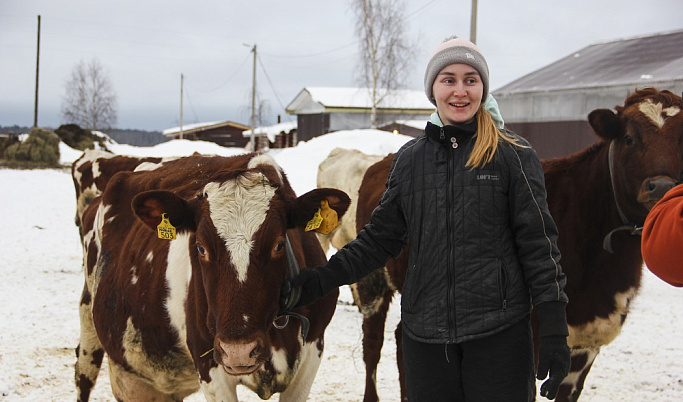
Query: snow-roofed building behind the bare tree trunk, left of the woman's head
[{"x": 321, "y": 110}]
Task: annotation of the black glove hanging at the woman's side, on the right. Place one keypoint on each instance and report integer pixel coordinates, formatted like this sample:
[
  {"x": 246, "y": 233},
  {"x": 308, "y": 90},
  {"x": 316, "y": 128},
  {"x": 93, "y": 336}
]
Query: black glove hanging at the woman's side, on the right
[{"x": 553, "y": 357}]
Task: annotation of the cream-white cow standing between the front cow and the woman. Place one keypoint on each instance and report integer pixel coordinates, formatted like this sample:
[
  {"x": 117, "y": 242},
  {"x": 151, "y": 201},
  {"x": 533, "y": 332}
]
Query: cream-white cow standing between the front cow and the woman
[{"x": 343, "y": 169}]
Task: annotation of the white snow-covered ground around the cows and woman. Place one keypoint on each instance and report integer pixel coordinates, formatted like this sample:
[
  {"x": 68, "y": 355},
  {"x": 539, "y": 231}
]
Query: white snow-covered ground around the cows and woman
[{"x": 40, "y": 267}]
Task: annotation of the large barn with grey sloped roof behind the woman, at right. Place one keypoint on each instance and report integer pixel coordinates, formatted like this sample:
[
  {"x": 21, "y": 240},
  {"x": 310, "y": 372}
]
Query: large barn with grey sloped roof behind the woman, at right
[{"x": 550, "y": 106}]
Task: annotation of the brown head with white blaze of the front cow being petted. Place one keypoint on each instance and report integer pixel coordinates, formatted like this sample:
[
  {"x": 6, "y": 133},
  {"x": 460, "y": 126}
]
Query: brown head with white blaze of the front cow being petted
[{"x": 237, "y": 225}]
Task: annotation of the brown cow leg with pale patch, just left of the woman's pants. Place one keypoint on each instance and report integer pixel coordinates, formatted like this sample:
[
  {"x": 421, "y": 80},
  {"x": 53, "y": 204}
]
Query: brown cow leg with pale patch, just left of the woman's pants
[{"x": 375, "y": 297}]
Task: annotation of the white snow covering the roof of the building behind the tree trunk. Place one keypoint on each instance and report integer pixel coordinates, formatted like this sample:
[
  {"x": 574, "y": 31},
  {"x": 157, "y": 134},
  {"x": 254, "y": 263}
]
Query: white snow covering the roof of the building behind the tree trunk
[{"x": 348, "y": 97}]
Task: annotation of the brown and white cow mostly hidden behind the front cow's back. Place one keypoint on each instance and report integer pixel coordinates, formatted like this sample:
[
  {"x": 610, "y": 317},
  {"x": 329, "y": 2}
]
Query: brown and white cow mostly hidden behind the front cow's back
[{"x": 92, "y": 170}]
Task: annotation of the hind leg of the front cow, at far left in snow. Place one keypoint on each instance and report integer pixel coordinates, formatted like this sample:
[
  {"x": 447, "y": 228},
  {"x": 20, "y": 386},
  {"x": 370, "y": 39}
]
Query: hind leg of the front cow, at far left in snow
[{"x": 89, "y": 353}]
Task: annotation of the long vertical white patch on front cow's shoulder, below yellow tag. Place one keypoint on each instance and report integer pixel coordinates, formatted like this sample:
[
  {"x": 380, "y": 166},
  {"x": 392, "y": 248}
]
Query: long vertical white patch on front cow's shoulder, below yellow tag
[{"x": 178, "y": 273}]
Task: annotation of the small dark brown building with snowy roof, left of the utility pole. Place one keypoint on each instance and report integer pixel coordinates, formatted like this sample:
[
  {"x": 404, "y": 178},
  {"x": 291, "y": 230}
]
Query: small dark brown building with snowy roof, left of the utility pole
[{"x": 225, "y": 133}]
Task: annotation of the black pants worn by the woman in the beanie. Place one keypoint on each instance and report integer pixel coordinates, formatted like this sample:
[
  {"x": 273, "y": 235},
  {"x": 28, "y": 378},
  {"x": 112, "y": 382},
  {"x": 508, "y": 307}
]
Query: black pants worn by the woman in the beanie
[{"x": 496, "y": 368}]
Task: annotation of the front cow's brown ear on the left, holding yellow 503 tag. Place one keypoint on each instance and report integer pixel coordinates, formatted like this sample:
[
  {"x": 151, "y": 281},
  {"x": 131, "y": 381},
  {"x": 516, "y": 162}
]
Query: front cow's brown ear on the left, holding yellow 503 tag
[{"x": 149, "y": 206}]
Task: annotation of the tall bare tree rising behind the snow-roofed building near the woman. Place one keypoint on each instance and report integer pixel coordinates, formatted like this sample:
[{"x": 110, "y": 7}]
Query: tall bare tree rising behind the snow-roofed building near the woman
[{"x": 386, "y": 55}]
